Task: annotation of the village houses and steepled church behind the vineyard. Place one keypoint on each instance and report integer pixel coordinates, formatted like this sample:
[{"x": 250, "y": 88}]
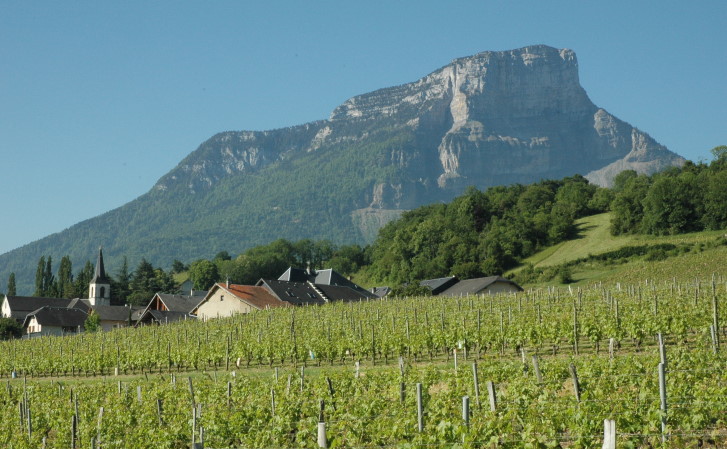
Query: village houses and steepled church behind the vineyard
[{"x": 294, "y": 288}]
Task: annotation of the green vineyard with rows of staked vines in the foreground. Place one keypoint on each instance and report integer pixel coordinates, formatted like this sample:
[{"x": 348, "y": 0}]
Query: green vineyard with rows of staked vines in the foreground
[{"x": 541, "y": 368}]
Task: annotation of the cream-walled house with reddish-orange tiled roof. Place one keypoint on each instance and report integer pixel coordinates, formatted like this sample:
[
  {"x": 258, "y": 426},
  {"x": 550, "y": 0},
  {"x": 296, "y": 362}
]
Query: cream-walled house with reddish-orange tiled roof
[{"x": 227, "y": 299}]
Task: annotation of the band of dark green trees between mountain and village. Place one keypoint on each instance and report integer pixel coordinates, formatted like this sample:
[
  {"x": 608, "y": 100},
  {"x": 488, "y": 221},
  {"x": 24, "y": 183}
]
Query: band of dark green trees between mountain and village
[{"x": 479, "y": 233}]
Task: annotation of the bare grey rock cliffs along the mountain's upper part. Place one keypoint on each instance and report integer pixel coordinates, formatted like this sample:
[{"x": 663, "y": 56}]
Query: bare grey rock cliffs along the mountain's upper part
[{"x": 492, "y": 118}]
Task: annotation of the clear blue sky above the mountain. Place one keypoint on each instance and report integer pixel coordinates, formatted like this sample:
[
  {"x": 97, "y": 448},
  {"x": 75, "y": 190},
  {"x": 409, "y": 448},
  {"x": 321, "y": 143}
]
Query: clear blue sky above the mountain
[{"x": 99, "y": 99}]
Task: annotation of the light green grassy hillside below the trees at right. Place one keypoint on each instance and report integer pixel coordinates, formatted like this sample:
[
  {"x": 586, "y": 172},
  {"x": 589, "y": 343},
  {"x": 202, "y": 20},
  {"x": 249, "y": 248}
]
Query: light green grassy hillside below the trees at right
[{"x": 698, "y": 255}]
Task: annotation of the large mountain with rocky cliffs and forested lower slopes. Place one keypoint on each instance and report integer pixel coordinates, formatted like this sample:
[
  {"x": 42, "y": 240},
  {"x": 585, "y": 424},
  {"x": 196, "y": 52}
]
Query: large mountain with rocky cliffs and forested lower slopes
[{"x": 493, "y": 118}]
